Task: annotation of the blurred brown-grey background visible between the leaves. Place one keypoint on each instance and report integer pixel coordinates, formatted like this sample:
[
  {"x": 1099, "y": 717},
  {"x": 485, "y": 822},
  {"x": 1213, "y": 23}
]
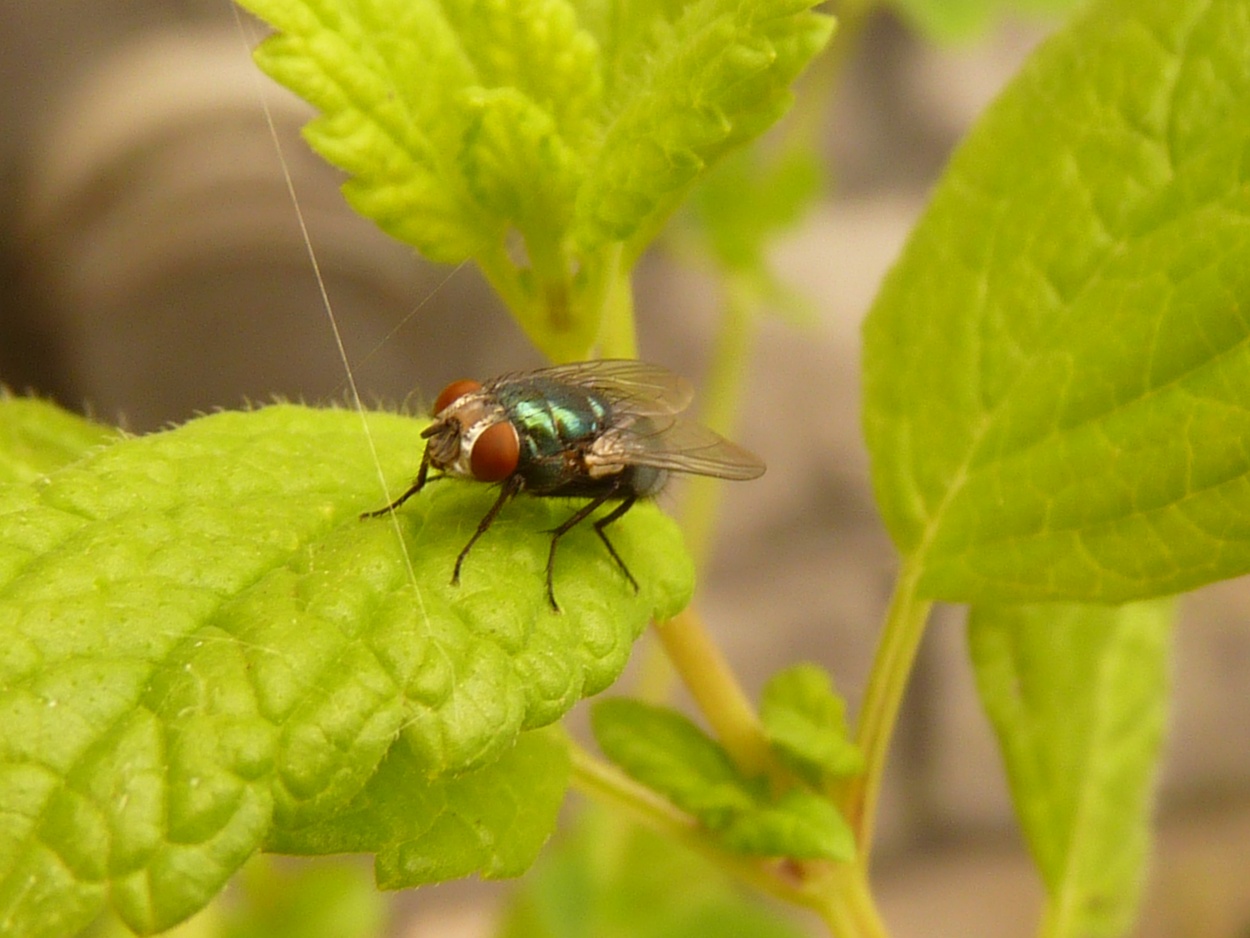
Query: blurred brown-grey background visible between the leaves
[{"x": 153, "y": 268}]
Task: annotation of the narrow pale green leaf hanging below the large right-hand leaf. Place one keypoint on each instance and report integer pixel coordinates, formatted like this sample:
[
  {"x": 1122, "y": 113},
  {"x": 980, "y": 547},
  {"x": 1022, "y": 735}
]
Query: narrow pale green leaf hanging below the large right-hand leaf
[{"x": 1078, "y": 698}]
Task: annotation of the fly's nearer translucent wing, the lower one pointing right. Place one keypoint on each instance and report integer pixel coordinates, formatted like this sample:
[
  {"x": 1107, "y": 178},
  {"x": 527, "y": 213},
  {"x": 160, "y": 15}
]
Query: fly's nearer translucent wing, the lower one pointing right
[{"x": 679, "y": 447}]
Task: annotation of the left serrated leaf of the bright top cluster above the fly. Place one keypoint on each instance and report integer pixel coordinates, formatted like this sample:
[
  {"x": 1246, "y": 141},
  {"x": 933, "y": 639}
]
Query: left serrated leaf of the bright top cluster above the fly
[{"x": 386, "y": 76}]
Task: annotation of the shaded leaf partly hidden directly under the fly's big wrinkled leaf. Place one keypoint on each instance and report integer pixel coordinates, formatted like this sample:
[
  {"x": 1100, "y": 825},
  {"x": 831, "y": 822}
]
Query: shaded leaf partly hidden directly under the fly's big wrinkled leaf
[{"x": 493, "y": 820}]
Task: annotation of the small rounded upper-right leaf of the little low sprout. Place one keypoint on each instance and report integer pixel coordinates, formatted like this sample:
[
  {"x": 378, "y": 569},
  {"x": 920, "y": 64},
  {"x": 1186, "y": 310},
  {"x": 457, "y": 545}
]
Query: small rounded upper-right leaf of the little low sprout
[{"x": 806, "y": 721}]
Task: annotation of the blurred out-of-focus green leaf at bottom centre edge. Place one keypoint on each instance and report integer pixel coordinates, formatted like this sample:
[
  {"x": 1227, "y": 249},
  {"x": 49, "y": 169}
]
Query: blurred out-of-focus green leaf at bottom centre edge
[{"x": 608, "y": 879}]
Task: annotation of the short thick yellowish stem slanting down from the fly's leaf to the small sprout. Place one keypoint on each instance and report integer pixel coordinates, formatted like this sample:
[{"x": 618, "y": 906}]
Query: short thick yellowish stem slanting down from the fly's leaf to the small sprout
[{"x": 716, "y": 690}]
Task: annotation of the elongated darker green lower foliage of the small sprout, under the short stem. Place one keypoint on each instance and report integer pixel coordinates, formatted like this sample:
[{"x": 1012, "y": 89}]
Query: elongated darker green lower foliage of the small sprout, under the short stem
[{"x": 664, "y": 751}]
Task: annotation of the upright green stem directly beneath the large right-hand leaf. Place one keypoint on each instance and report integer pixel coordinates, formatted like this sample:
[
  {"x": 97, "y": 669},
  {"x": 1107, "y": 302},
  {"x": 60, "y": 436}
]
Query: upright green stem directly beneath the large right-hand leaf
[{"x": 888, "y": 682}]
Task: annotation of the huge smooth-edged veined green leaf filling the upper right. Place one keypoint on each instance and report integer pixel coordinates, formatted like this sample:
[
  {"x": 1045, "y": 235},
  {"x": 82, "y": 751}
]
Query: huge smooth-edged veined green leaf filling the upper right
[{"x": 1057, "y": 370}]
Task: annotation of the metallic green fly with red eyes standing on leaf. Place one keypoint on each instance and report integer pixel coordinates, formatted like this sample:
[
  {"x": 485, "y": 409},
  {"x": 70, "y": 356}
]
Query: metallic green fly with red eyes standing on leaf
[{"x": 607, "y": 431}]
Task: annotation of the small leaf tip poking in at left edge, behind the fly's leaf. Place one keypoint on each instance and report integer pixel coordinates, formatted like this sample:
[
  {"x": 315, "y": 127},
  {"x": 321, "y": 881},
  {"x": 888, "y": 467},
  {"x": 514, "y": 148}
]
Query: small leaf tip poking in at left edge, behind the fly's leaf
[{"x": 38, "y": 437}]
